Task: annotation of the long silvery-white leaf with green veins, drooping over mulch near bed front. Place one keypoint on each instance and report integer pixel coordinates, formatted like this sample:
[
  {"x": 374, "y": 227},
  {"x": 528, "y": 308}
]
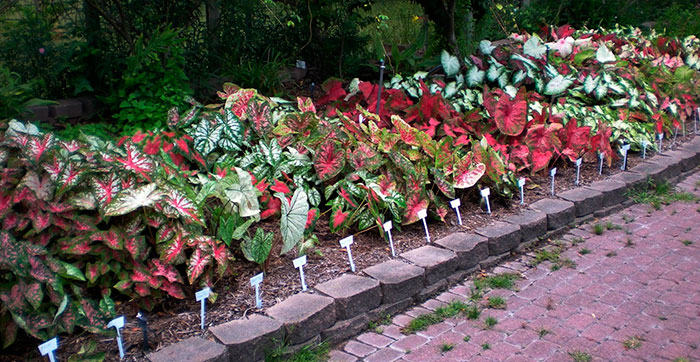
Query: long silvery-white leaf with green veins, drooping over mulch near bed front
[{"x": 293, "y": 219}]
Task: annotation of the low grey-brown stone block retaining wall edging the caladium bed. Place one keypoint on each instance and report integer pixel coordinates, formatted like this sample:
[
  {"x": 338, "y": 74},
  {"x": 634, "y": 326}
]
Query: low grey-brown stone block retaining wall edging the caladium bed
[{"x": 343, "y": 307}]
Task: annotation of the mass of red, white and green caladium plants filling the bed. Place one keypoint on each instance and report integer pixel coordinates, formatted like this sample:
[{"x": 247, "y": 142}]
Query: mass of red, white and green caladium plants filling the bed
[{"x": 88, "y": 222}]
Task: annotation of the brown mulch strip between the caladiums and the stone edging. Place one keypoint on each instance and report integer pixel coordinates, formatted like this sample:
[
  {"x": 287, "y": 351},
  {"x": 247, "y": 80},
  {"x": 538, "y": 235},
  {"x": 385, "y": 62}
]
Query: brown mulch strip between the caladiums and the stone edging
[{"x": 175, "y": 320}]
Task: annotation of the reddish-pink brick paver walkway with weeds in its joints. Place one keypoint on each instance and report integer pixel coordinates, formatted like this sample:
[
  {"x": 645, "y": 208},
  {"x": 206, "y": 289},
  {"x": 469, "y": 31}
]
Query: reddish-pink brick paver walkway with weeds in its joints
[{"x": 641, "y": 281}]
